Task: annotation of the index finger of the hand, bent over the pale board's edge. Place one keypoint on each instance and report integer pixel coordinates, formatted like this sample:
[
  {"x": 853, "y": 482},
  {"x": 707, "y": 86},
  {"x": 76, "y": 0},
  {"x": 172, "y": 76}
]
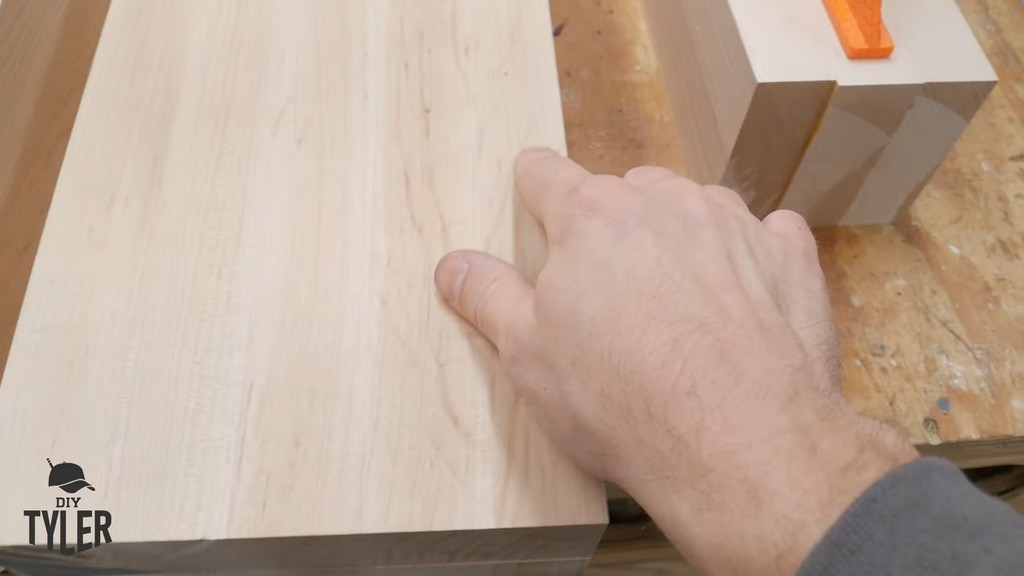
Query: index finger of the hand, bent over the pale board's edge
[{"x": 543, "y": 179}]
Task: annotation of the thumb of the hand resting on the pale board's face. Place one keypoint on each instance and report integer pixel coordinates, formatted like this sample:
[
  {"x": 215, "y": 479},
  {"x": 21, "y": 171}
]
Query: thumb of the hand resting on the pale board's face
[{"x": 488, "y": 293}]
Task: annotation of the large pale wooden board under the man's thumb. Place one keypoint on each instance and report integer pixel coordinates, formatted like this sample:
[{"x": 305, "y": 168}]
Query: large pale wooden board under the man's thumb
[{"x": 232, "y": 324}]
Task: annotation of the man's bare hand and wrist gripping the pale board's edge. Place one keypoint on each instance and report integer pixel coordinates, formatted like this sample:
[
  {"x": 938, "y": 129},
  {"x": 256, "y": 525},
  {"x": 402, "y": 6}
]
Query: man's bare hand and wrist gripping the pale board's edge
[{"x": 684, "y": 349}]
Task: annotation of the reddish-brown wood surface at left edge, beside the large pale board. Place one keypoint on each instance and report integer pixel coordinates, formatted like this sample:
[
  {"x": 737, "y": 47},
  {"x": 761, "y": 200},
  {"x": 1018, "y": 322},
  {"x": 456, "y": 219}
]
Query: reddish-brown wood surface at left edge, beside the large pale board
[{"x": 47, "y": 48}]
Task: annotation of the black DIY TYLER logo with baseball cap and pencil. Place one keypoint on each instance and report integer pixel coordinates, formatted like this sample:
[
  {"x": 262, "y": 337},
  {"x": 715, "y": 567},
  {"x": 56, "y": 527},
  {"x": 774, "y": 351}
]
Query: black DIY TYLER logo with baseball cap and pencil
[{"x": 90, "y": 528}]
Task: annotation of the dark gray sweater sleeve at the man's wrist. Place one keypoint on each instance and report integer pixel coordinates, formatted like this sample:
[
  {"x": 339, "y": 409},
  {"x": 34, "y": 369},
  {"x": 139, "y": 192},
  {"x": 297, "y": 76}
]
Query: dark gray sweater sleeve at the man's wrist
[{"x": 923, "y": 519}]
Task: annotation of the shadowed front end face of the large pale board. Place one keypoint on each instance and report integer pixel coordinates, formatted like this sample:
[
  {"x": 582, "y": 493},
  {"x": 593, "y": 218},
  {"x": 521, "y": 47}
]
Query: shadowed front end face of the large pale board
[{"x": 523, "y": 551}]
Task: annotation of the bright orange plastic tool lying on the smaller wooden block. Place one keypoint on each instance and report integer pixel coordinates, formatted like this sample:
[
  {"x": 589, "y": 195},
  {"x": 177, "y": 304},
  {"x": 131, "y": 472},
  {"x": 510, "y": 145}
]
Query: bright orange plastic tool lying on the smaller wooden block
[{"x": 861, "y": 29}]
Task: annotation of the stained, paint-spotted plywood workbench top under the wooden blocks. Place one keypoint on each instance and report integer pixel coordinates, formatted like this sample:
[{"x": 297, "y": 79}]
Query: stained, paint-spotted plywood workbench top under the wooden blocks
[{"x": 930, "y": 312}]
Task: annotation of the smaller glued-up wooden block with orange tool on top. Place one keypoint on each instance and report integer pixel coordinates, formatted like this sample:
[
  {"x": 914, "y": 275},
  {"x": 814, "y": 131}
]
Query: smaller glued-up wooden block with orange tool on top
[{"x": 847, "y": 142}]
